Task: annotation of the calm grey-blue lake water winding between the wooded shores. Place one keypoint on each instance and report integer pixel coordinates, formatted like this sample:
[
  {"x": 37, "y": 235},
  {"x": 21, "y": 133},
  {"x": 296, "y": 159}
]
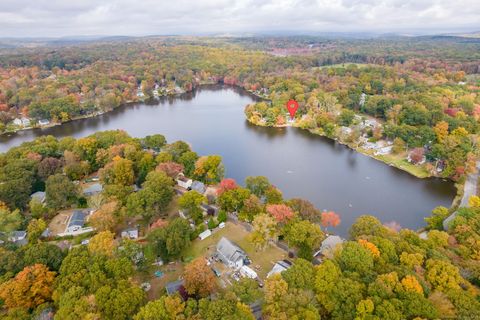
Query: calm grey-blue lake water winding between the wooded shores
[{"x": 328, "y": 174}]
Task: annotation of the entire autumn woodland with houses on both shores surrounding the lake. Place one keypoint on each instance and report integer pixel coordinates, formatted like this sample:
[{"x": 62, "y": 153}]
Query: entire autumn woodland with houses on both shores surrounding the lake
[{"x": 153, "y": 212}]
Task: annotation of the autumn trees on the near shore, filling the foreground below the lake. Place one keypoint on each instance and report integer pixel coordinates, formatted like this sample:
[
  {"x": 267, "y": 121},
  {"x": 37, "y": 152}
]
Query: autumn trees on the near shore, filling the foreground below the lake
[{"x": 377, "y": 273}]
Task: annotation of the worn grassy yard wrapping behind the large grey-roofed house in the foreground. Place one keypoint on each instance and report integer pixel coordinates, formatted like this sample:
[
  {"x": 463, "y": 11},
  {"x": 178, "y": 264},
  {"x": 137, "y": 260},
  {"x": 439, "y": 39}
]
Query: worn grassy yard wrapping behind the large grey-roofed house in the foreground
[{"x": 262, "y": 261}]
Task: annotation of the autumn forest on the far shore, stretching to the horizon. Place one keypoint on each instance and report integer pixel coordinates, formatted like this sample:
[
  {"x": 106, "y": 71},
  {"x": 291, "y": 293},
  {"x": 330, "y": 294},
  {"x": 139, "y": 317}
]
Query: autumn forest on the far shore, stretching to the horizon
[{"x": 423, "y": 92}]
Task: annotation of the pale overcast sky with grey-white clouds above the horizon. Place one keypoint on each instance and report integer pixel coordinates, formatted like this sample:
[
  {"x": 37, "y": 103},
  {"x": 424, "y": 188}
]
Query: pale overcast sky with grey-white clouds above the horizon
[{"x": 53, "y": 18}]
